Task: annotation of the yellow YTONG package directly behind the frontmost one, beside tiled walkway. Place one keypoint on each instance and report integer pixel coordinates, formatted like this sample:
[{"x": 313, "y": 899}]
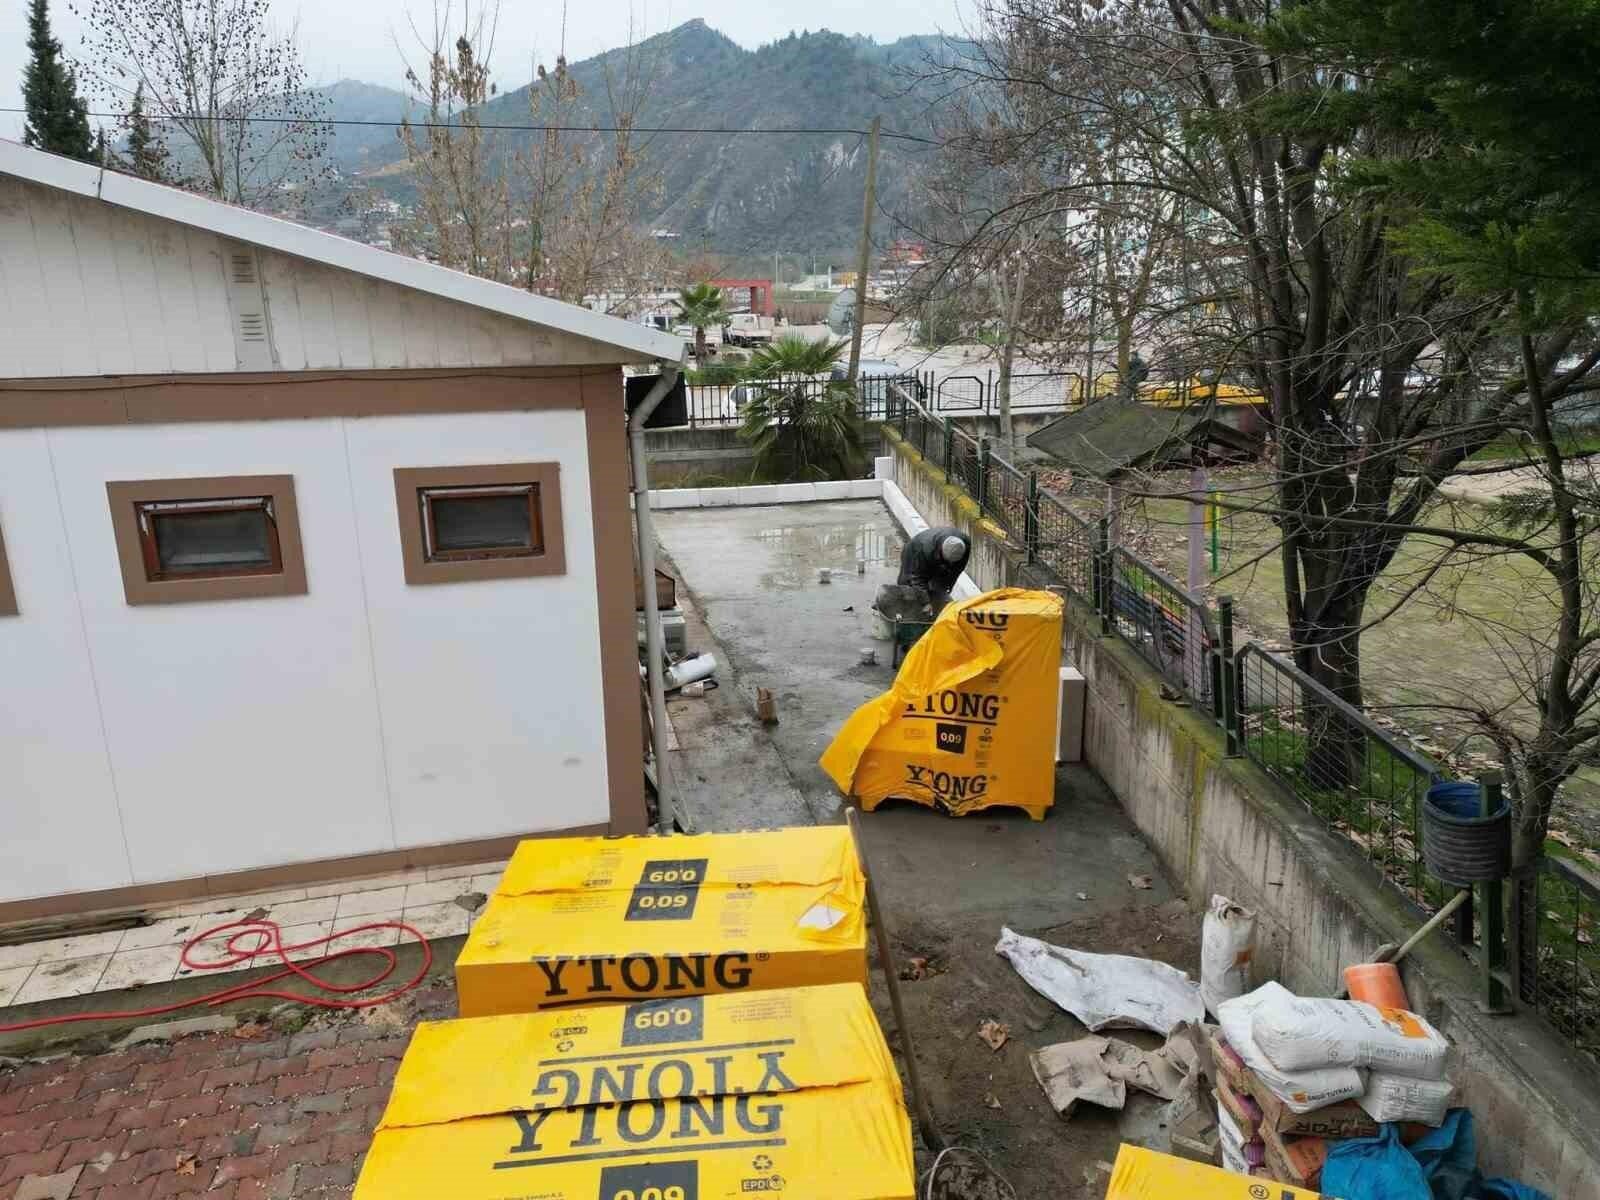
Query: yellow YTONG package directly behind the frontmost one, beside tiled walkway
[{"x": 591, "y": 921}]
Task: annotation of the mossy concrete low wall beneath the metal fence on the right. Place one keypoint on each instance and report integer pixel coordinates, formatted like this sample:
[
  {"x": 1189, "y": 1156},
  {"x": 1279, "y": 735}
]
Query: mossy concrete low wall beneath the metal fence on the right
[{"x": 1223, "y": 826}]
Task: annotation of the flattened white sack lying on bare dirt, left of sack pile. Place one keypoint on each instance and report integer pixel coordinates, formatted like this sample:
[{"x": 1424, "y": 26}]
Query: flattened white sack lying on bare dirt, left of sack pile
[{"x": 1106, "y": 991}]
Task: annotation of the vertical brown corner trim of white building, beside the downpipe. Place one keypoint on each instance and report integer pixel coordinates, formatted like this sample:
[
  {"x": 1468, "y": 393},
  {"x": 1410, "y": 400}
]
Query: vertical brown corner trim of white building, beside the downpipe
[{"x": 609, "y": 502}]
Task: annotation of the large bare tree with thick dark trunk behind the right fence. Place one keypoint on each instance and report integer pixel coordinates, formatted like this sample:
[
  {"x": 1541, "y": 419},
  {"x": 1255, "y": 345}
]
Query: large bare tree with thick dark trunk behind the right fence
[{"x": 1305, "y": 289}]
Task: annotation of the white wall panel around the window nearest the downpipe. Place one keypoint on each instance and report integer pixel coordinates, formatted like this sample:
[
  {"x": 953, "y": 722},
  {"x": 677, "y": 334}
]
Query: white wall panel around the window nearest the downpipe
[{"x": 492, "y": 692}]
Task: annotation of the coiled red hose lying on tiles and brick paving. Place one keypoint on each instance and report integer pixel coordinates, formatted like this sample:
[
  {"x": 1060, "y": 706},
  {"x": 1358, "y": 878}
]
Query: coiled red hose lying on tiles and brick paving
[{"x": 270, "y": 943}]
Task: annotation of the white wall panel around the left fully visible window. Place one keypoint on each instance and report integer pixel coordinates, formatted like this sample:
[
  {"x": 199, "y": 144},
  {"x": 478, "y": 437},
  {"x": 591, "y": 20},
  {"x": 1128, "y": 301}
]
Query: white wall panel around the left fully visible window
[{"x": 242, "y": 734}]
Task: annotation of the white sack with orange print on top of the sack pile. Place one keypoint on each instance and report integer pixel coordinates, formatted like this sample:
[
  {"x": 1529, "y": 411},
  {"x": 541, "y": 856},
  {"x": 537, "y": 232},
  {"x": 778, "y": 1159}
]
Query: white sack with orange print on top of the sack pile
[{"x": 1300, "y": 1033}]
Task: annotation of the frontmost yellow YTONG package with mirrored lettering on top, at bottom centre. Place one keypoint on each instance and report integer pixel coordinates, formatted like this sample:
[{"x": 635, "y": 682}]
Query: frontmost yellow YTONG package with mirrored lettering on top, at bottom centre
[{"x": 705, "y": 1098}]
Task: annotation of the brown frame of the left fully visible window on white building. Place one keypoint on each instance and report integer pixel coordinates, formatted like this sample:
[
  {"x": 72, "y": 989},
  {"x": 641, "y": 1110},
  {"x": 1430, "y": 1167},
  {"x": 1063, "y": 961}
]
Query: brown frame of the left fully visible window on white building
[{"x": 142, "y": 577}]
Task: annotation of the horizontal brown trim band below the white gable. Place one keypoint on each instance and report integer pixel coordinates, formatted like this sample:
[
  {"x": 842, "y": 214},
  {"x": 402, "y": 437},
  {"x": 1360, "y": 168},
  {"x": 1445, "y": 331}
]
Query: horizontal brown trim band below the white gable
[{"x": 290, "y": 396}]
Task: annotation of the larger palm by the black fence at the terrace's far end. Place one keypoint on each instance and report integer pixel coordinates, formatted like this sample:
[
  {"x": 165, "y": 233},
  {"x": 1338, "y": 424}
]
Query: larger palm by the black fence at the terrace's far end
[{"x": 802, "y": 425}]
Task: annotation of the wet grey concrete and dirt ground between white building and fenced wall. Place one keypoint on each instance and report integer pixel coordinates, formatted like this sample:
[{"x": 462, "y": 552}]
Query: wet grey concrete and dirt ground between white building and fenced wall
[{"x": 750, "y": 578}]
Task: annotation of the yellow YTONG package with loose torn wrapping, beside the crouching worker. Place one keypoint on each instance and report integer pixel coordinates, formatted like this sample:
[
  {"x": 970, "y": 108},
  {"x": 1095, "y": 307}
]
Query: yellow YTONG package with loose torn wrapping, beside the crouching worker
[{"x": 972, "y": 718}]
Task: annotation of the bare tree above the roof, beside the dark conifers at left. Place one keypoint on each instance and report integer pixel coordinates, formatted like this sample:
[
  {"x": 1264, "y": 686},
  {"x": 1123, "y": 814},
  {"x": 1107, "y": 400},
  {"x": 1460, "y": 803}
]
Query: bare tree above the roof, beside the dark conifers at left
[{"x": 230, "y": 92}]
